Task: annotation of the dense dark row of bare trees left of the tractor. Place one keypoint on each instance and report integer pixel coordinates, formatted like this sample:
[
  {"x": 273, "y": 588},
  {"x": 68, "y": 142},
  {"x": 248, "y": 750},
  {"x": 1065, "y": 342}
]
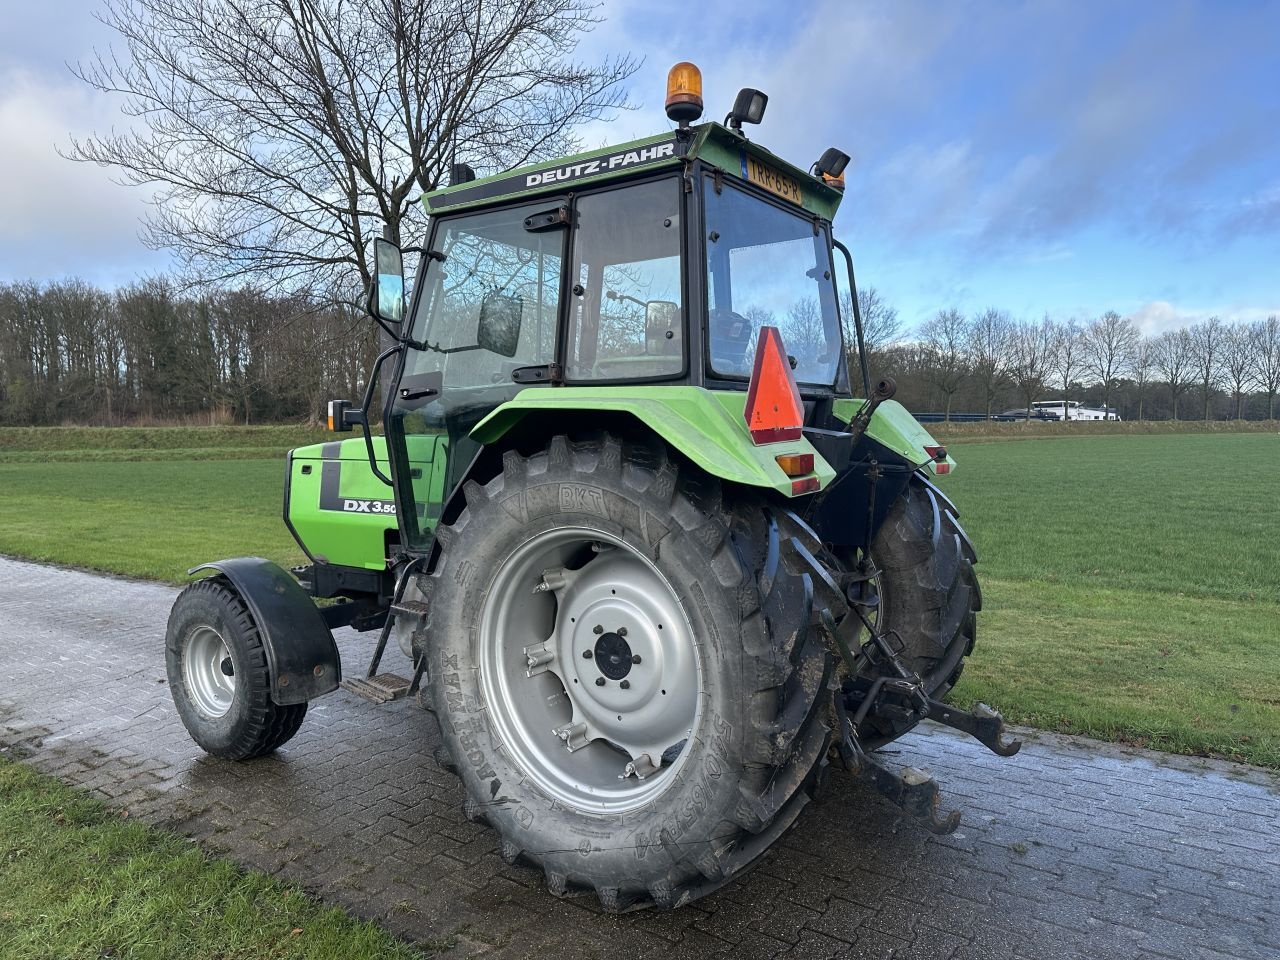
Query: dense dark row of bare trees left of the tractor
[{"x": 74, "y": 354}]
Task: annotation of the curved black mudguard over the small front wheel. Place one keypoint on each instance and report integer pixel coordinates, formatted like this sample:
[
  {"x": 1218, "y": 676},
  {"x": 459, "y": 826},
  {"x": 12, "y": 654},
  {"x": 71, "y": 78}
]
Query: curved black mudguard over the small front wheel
[{"x": 301, "y": 655}]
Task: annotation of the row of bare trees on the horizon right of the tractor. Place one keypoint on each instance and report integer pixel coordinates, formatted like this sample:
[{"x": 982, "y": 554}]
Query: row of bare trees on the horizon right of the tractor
[{"x": 989, "y": 363}]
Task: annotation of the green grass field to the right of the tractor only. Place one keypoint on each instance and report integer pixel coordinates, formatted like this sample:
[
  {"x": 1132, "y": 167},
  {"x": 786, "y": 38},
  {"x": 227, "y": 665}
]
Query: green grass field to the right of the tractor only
[{"x": 1132, "y": 588}]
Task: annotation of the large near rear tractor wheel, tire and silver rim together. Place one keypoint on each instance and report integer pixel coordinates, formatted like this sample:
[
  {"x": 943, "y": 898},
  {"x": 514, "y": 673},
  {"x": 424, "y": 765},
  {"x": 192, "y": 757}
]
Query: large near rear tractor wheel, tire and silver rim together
[{"x": 624, "y": 671}]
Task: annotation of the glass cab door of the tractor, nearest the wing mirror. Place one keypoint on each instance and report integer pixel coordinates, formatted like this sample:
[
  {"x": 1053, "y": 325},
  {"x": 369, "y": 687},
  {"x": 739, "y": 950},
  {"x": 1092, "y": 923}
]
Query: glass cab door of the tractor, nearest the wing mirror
[{"x": 487, "y": 310}]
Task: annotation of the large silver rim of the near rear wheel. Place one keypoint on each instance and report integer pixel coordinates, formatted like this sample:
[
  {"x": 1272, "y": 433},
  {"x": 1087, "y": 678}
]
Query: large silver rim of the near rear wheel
[{"x": 596, "y": 747}]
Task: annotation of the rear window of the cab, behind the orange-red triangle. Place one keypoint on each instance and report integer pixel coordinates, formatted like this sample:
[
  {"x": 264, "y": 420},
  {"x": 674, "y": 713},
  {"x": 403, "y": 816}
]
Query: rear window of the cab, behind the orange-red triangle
[{"x": 767, "y": 267}]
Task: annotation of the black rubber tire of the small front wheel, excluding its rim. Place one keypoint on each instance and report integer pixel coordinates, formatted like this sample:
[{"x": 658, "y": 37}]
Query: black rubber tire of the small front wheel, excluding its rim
[{"x": 254, "y": 725}]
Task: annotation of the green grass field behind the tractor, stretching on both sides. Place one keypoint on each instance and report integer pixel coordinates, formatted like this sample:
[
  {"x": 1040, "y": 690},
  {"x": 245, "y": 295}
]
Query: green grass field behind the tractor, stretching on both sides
[{"x": 1131, "y": 580}]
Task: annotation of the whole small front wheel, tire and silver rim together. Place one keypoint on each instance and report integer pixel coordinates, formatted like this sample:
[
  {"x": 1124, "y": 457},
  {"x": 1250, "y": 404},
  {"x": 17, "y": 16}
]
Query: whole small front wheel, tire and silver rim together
[{"x": 220, "y": 679}]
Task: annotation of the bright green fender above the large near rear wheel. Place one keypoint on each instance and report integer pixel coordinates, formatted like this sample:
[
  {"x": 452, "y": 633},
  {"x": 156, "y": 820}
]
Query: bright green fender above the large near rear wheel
[{"x": 707, "y": 427}]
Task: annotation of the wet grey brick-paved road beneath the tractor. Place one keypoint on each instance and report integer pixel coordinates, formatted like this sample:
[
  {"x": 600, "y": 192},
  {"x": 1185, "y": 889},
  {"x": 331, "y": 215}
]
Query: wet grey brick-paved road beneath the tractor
[{"x": 1072, "y": 849}]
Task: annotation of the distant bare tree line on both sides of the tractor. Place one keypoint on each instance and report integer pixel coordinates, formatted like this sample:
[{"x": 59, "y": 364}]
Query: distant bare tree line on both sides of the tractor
[{"x": 150, "y": 353}]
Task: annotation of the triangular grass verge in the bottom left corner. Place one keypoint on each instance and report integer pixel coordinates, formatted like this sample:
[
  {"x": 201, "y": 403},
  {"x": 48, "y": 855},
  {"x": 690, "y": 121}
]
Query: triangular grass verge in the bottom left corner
[{"x": 80, "y": 881}]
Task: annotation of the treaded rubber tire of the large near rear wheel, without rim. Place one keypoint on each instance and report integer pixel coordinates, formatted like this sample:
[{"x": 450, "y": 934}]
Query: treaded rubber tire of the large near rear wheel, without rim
[{"x": 764, "y": 738}]
